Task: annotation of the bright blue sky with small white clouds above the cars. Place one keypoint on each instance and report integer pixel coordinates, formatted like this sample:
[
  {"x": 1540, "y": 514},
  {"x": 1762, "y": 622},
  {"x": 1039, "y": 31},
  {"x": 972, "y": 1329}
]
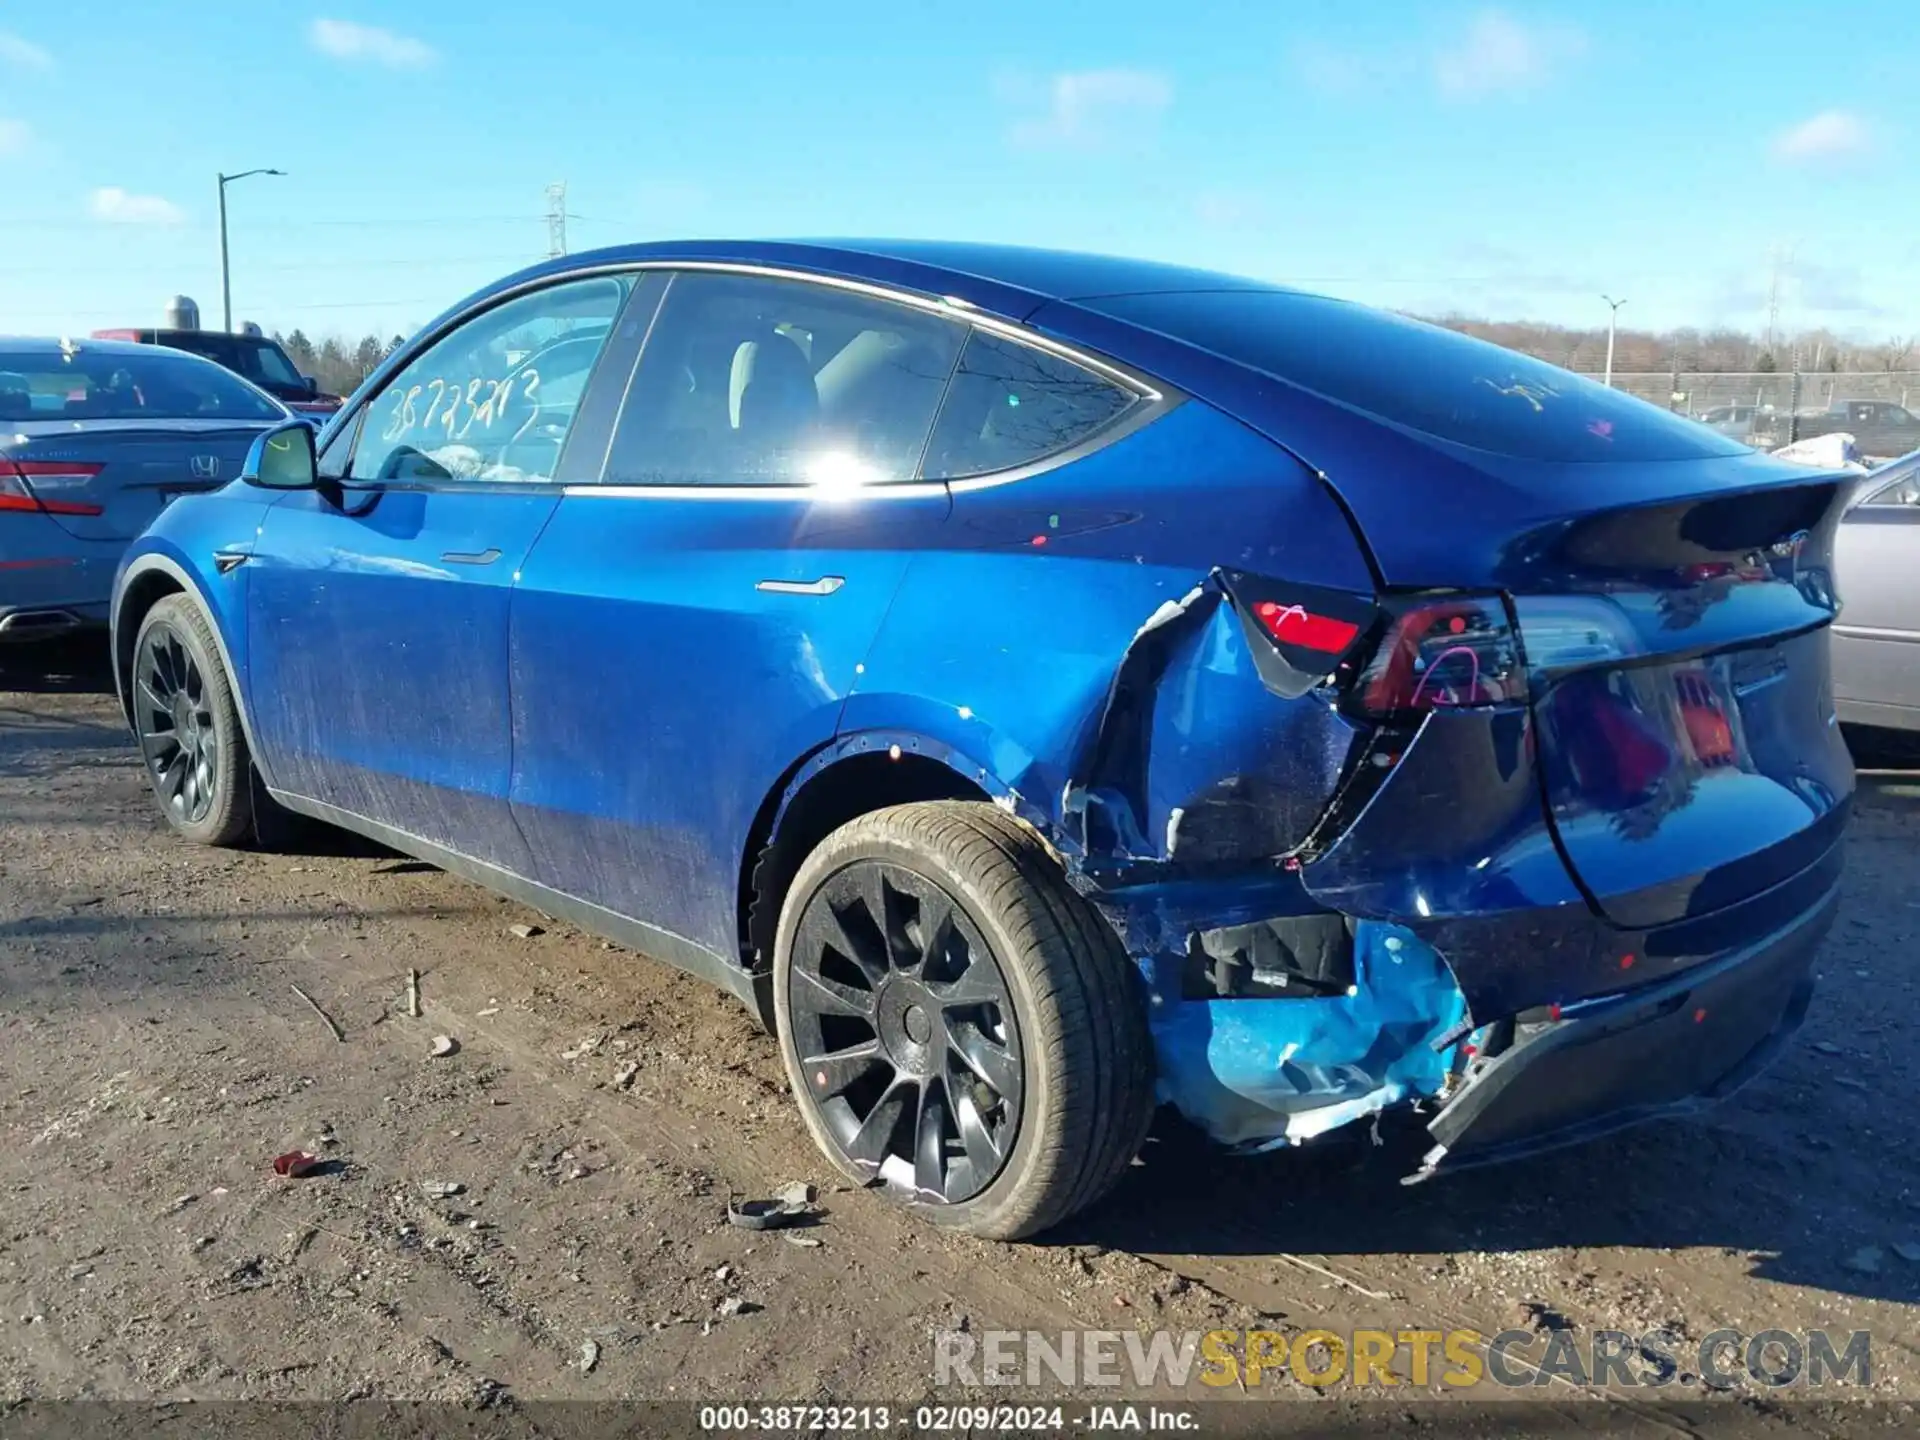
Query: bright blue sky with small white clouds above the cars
[{"x": 1506, "y": 162}]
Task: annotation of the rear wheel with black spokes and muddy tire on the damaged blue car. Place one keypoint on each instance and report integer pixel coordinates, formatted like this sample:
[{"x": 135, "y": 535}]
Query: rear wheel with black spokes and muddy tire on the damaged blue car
[{"x": 959, "y": 1026}]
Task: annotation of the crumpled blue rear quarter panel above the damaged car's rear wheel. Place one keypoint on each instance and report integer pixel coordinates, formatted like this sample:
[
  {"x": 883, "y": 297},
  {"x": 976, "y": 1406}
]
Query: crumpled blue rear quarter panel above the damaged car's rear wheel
[{"x": 1005, "y": 642}]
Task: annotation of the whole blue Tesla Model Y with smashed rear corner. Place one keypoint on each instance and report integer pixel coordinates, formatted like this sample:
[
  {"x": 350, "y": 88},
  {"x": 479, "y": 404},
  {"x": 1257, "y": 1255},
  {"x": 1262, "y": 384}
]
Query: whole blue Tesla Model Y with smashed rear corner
[{"x": 1047, "y": 686}]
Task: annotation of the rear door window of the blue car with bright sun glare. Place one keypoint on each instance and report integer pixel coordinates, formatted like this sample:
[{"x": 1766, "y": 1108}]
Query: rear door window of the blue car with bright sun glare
[{"x": 750, "y": 381}]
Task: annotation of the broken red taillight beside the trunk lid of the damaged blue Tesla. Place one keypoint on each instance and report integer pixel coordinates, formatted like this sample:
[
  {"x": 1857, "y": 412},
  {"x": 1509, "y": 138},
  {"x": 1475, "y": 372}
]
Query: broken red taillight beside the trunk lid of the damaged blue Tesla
[{"x": 1445, "y": 654}]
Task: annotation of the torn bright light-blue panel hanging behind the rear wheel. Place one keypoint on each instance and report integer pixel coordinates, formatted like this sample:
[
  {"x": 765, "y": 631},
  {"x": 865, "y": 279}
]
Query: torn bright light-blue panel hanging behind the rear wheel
[{"x": 1285, "y": 1070}]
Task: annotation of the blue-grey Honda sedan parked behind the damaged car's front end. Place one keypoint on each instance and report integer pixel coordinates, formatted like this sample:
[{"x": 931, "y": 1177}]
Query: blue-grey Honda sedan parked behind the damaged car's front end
[{"x": 97, "y": 437}]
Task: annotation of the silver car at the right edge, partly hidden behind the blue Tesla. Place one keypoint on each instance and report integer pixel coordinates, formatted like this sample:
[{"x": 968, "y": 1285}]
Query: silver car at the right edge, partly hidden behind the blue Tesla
[{"x": 1877, "y": 638}]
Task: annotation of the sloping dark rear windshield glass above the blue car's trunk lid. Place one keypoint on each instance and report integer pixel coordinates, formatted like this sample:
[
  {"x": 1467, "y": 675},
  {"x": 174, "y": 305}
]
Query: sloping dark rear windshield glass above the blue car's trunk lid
[{"x": 1422, "y": 377}]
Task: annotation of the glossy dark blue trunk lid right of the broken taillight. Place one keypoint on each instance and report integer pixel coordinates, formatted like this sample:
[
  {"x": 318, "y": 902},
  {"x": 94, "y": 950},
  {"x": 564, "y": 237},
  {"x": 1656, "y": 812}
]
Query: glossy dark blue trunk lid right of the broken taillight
[{"x": 1683, "y": 698}]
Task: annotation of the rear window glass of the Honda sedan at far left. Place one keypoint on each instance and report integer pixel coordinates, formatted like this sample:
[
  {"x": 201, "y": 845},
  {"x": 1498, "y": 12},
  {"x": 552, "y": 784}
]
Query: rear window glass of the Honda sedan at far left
[{"x": 147, "y": 385}]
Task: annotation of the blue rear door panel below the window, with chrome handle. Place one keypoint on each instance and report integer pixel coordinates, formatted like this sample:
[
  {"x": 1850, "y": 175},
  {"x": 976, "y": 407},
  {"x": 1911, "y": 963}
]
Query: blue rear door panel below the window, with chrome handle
[{"x": 708, "y": 684}]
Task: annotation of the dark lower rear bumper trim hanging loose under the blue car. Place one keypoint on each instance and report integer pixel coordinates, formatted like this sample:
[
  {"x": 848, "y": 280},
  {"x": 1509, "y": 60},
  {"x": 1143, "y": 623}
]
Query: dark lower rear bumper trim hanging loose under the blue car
[{"x": 1664, "y": 1049}]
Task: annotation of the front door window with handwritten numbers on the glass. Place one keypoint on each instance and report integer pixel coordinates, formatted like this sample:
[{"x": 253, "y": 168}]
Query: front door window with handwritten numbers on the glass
[{"x": 496, "y": 398}]
